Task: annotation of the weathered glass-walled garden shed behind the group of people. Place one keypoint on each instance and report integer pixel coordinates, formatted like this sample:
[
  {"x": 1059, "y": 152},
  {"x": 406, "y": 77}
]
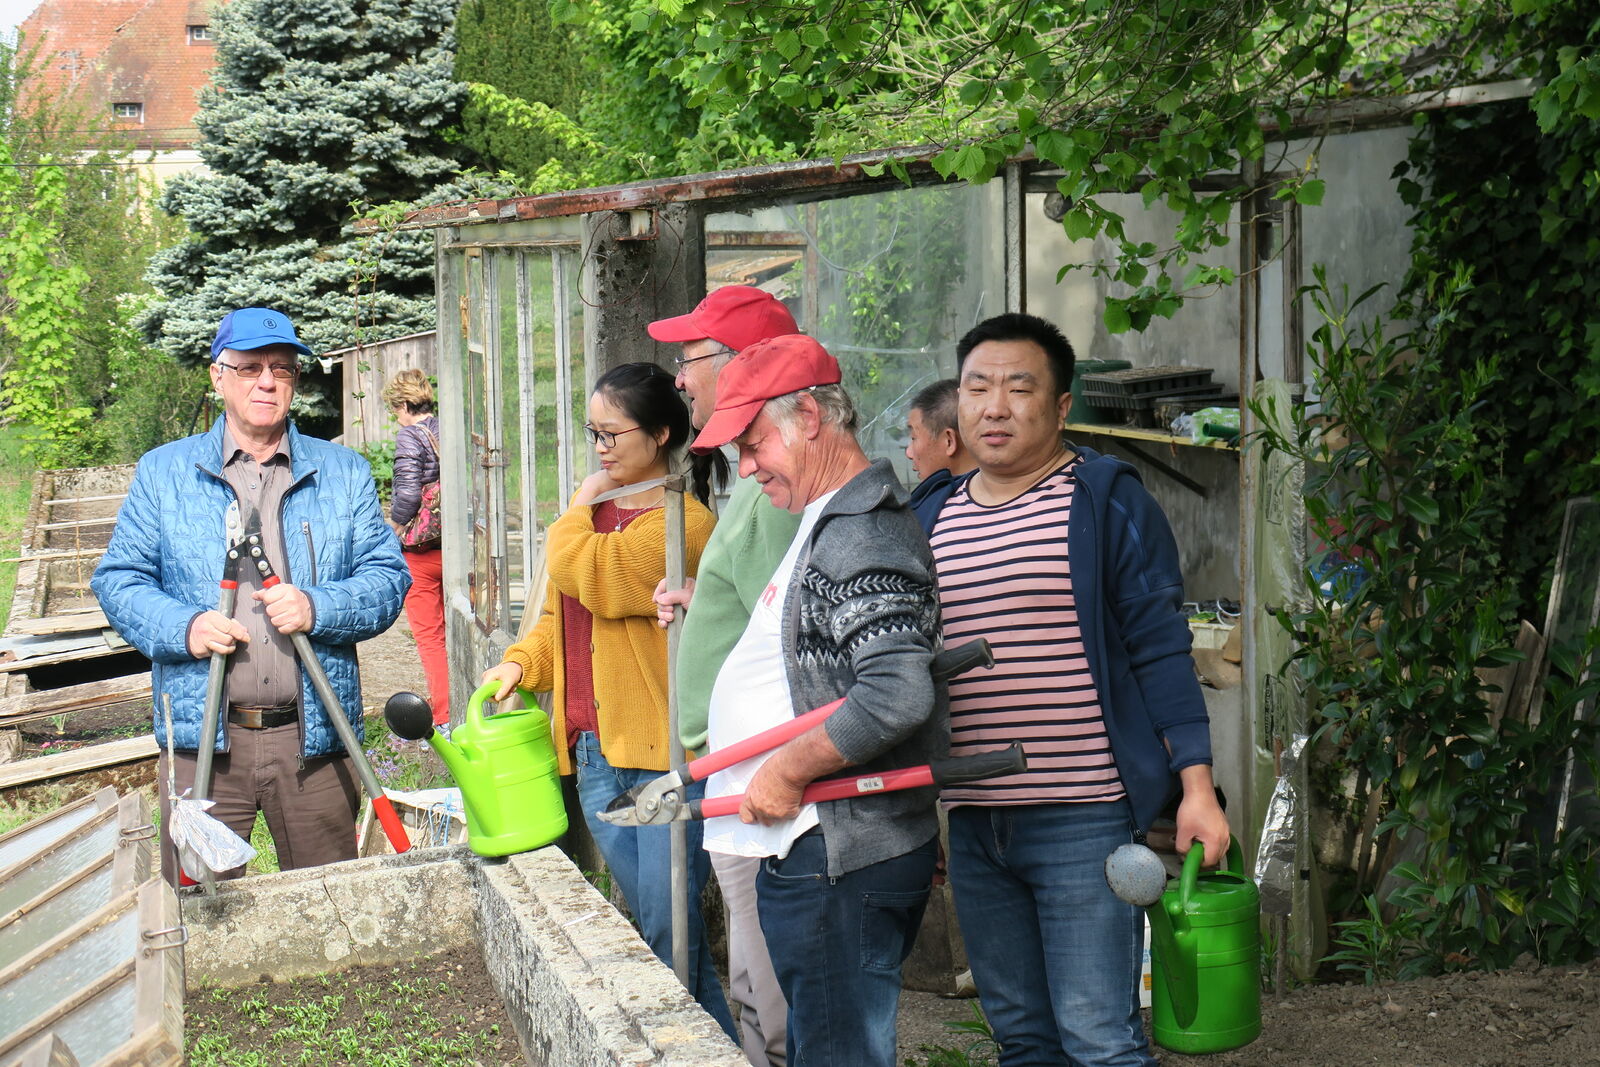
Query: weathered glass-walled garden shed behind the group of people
[{"x": 540, "y": 295}]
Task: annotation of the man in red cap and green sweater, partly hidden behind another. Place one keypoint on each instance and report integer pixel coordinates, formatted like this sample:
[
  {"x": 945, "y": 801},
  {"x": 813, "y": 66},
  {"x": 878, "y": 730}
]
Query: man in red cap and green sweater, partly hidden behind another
[{"x": 746, "y": 546}]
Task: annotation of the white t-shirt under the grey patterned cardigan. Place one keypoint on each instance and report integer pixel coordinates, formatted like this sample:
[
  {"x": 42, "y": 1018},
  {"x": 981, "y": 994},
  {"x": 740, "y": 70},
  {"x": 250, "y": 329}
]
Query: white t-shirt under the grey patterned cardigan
[{"x": 753, "y": 695}]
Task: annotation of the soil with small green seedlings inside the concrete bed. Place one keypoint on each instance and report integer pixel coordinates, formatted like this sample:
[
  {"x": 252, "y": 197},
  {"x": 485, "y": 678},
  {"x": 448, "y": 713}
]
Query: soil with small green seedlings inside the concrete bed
[{"x": 441, "y": 1010}]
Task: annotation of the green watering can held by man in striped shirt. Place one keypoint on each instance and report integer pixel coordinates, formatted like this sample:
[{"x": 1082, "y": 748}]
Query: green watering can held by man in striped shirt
[{"x": 1206, "y": 948}]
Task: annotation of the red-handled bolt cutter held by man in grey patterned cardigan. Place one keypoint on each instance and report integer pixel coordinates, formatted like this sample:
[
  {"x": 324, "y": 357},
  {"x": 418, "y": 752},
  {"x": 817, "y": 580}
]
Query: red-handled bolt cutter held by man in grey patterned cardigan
[{"x": 660, "y": 802}]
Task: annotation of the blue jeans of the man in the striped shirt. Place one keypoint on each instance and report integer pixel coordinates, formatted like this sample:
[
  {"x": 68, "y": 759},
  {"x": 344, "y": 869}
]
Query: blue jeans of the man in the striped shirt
[{"x": 1054, "y": 951}]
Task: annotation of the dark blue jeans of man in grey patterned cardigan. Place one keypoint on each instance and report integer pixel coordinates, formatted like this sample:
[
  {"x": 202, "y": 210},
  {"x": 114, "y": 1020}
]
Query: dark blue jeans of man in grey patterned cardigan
[{"x": 838, "y": 946}]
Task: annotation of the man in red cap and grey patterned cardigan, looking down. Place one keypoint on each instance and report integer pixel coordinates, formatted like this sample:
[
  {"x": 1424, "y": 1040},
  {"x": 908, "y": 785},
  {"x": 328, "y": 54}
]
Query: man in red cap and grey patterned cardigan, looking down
[{"x": 850, "y": 612}]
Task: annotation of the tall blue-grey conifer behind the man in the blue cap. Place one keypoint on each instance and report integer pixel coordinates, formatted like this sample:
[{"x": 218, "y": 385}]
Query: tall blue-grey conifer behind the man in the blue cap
[{"x": 314, "y": 106}]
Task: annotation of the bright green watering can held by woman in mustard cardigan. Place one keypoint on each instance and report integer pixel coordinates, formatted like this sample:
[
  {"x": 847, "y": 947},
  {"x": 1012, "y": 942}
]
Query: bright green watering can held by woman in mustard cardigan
[{"x": 505, "y": 765}]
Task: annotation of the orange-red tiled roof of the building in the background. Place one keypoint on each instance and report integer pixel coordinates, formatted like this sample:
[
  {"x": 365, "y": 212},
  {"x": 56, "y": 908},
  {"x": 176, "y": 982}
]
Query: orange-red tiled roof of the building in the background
[{"x": 126, "y": 52}]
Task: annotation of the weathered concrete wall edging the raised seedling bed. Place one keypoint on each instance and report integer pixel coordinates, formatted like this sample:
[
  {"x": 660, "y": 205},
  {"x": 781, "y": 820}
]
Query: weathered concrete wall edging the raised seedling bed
[{"x": 578, "y": 983}]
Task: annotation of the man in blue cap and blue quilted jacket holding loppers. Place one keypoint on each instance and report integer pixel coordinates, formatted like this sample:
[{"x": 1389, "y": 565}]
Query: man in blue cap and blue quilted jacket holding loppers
[{"x": 343, "y": 581}]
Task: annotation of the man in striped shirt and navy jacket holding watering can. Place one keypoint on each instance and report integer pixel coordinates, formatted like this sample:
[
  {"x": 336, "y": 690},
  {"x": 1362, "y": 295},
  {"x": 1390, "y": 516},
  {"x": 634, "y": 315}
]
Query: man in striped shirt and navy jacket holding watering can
[{"x": 1066, "y": 564}]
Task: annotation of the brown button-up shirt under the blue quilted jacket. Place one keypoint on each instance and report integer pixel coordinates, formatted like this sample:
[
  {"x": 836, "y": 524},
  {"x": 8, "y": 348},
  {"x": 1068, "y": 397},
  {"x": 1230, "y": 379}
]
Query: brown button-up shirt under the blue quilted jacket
[{"x": 263, "y": 673}]
